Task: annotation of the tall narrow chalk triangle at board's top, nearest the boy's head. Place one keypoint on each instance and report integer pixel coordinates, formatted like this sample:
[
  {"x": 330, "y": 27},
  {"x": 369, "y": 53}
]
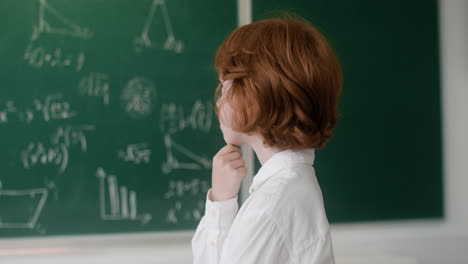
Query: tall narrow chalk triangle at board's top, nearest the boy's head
[{"x": 162, "y": 35}]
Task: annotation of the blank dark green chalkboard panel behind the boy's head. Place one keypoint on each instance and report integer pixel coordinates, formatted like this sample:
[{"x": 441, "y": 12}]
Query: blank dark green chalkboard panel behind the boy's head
[{"x": 385, "y": 161}]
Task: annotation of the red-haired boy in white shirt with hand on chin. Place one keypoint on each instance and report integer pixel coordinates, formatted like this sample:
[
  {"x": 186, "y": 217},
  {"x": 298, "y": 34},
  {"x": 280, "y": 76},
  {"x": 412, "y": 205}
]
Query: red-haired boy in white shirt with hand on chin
[{"x": 279, "y": 90}]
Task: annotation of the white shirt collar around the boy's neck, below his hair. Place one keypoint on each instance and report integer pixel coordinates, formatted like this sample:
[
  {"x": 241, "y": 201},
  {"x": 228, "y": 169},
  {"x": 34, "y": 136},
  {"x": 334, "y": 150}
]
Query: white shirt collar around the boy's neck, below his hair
[{"x": 278, "y": 161}]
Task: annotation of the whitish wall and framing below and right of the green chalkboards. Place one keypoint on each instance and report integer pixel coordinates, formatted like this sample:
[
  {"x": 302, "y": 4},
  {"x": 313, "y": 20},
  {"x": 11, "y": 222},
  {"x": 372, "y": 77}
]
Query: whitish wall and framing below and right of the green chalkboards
[{"x": 425, "y": 242}]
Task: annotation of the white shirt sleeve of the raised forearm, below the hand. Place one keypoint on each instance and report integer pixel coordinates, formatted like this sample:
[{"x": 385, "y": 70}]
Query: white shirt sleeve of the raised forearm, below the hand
[{"x": 208, "y": 240}]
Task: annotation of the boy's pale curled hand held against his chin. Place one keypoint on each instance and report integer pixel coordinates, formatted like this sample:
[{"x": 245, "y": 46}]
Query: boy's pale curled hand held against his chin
[{"x": 228, "y": 172}]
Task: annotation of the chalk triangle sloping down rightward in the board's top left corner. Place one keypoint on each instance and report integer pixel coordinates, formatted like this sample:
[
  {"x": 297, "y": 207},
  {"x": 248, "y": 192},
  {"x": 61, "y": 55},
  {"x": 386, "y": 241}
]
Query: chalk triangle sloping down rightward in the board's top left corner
[{"x": 51, "y": 21}]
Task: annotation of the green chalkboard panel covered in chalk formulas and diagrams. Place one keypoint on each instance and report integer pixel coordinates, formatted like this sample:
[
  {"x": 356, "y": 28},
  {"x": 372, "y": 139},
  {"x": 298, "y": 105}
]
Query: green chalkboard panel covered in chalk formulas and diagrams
[{"x": 106, "y": 113}]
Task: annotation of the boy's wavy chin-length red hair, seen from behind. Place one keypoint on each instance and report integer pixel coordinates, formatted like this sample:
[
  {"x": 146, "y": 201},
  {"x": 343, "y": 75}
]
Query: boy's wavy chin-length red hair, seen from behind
[{"x": 286, "y": 82}]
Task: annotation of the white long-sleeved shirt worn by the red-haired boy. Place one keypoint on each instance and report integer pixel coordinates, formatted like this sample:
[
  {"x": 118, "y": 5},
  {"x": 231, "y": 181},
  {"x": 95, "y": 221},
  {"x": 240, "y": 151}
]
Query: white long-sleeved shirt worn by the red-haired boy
[{"x": 282, "y": 221}]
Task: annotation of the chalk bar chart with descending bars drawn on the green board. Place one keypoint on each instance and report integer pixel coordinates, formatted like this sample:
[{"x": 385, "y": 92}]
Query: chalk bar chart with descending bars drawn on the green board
[{"x": 122, "y": 203}]
